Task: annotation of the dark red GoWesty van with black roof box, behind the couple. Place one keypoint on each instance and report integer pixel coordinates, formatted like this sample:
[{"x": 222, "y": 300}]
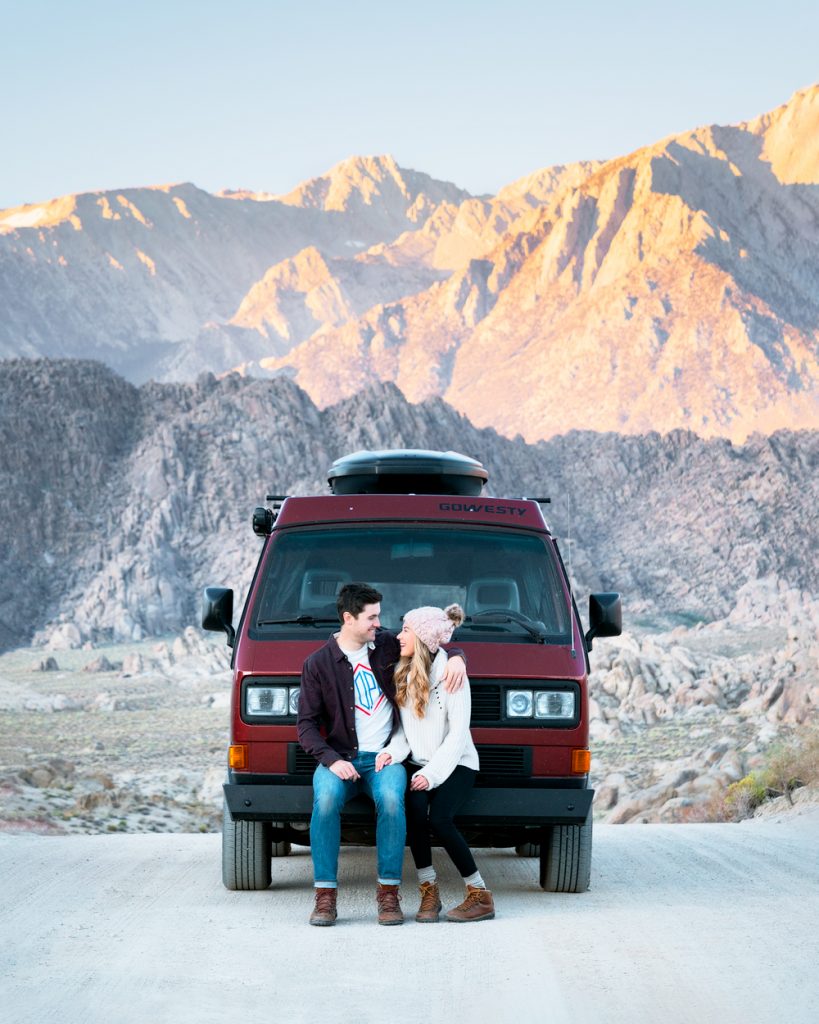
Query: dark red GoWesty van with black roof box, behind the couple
[{"x": 416, "y": 526}]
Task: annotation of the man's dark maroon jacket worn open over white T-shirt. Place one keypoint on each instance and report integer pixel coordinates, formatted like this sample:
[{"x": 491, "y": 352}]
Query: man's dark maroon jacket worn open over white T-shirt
[{"x": 327, "y": 698}]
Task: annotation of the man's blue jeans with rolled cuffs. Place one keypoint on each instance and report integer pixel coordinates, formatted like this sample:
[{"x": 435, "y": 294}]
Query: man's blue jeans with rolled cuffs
[{"x": 331, "y": 794}]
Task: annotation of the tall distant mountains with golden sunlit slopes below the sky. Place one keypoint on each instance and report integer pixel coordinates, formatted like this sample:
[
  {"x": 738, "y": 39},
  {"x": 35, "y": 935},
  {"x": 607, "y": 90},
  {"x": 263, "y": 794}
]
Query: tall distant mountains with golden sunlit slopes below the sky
[{"x": 674, "y": 288}]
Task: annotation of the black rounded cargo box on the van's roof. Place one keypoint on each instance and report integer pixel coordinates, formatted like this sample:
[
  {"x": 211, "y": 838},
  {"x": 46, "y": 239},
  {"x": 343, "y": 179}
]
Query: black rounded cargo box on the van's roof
[{"x": 407, "y": 472}]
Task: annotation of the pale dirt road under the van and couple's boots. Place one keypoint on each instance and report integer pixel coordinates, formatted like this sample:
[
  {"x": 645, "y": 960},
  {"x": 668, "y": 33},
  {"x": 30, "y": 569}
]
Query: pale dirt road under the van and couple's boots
[{"x": 684, "y": 924}]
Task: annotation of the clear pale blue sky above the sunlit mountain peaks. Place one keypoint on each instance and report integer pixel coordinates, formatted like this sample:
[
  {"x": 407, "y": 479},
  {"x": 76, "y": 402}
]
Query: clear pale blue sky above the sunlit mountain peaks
[{"x": 265, "y": 95}]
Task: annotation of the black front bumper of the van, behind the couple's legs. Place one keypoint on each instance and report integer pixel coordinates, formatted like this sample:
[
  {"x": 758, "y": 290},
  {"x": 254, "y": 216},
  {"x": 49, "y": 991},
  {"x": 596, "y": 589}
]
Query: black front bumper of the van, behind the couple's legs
[{"x": 281, "y": 801}]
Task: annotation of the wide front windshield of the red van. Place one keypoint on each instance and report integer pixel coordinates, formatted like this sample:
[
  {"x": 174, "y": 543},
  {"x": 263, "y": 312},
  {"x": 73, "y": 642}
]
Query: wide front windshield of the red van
[{"x": 507, "y": 582}]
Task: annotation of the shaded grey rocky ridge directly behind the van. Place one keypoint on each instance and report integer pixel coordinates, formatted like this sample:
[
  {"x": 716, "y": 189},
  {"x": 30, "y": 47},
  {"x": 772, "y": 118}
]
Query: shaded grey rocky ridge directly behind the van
[{"x": 120, "y": 503}]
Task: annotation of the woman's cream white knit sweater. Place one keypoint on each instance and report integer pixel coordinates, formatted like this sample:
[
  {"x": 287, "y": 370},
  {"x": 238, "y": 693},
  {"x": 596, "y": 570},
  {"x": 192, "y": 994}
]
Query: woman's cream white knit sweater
[{"x": 441, "y": 741}]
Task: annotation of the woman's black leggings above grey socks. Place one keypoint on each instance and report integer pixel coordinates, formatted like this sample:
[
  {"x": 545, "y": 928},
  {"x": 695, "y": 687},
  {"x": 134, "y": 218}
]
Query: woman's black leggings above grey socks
[{"x": 433, "y": 812}]
